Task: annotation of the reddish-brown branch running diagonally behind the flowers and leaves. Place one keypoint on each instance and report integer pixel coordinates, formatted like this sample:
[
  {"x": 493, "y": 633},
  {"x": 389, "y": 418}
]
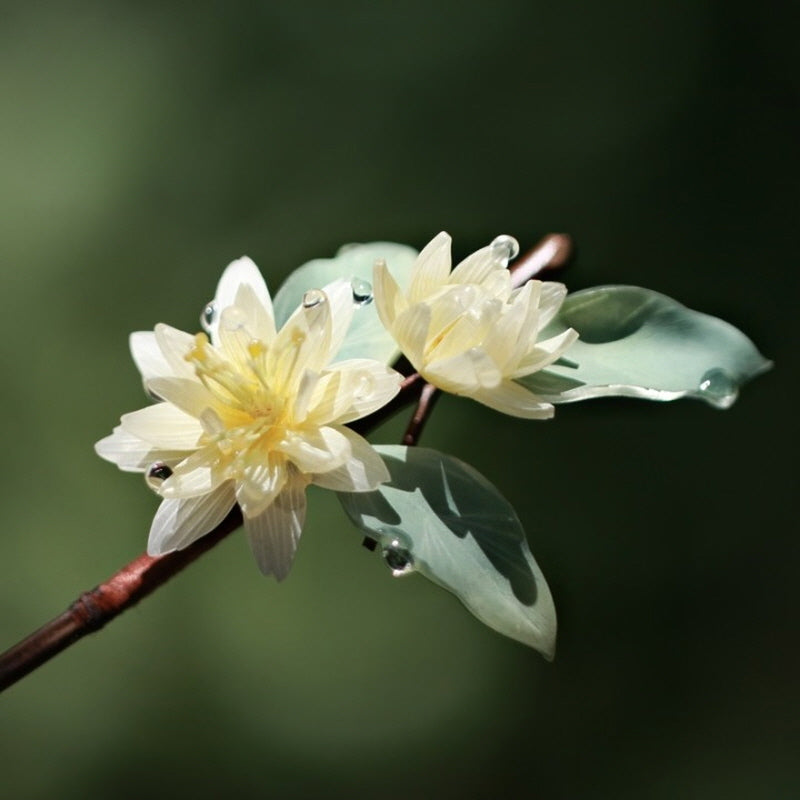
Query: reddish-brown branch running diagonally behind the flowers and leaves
[{"x": 135, "y": 581}]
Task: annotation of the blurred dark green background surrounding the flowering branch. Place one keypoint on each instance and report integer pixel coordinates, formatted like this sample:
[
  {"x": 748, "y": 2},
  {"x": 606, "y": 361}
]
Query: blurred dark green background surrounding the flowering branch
[{"x": 144, "y": 145}]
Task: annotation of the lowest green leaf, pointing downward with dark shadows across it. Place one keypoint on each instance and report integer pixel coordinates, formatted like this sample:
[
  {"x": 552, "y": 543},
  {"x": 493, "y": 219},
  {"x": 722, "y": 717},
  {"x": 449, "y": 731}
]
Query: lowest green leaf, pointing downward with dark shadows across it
[{"x": 439, "y": 517}]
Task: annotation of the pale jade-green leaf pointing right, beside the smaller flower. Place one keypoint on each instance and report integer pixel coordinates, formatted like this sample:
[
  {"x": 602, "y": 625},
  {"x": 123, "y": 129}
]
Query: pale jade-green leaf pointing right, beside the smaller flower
[{"x": 639, "y": 343}]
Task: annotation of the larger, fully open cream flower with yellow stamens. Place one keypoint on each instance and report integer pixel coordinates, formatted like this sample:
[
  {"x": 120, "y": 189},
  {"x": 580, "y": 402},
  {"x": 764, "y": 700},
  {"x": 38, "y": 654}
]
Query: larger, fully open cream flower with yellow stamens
[{"x": 252, "y": 415}]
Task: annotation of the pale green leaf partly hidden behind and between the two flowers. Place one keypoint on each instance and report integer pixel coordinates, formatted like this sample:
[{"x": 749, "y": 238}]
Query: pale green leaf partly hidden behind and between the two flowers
[{"x": 367, "y": 338}]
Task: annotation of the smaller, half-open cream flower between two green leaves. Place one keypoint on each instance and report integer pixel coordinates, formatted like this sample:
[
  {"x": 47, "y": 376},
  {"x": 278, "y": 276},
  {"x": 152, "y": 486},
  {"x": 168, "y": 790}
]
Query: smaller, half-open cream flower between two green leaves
[{"x": 469, "y": 331}]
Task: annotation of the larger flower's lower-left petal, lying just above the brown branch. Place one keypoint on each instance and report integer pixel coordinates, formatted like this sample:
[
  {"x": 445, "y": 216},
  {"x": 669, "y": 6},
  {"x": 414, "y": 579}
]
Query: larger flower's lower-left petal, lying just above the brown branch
[{"x": 178, "y": 523}]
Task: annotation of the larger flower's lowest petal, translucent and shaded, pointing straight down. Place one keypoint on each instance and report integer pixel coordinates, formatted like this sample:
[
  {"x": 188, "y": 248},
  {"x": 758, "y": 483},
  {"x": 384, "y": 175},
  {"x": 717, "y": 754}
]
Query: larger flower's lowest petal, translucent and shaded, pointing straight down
[{"x": 275, "y": 532}]
